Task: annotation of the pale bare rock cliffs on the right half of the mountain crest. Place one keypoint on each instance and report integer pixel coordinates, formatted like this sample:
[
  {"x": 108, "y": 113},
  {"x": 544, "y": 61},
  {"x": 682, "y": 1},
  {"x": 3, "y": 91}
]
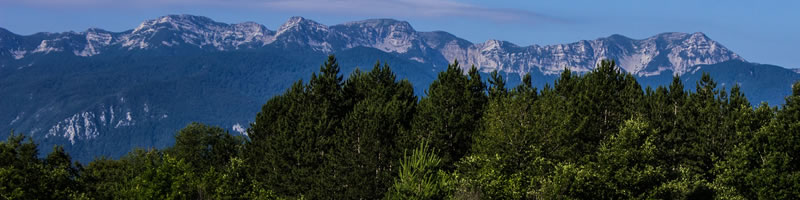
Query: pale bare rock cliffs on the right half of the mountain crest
[{"x": 673, "y": 52}]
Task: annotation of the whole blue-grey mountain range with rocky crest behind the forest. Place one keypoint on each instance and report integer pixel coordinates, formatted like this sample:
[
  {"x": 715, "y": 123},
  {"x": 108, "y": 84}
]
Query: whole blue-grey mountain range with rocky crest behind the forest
[{"x": 102, "y": 93}]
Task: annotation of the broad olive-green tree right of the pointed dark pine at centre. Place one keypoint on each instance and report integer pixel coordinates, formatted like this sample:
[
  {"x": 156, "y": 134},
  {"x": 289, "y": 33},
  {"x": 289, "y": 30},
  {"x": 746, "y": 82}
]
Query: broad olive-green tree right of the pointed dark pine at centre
[{"x": 501, "y": 153}]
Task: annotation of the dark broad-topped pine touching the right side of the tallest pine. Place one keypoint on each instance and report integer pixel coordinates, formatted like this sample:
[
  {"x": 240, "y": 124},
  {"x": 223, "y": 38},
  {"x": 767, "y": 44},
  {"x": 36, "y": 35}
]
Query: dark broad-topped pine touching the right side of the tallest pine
[{"x": 367, "y": 152}]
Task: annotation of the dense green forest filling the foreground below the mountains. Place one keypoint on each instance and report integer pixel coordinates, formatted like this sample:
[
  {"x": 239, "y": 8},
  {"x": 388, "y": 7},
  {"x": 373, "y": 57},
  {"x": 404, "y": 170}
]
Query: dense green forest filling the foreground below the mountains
[{"x": 596, "y": 135}]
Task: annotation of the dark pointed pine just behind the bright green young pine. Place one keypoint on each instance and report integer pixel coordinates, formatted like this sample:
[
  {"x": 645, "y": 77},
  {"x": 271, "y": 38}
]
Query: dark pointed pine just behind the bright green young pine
[{"x": 449, "y": 115}]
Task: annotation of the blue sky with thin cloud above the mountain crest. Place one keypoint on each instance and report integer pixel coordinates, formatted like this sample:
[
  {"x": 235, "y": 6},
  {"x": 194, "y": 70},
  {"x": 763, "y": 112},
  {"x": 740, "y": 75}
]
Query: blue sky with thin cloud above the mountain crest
[{"x": 760, "y": 31}]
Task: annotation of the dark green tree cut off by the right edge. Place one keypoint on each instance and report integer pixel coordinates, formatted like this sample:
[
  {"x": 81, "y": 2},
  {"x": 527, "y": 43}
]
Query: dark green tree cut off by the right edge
[{"x": 765, "y": 164}]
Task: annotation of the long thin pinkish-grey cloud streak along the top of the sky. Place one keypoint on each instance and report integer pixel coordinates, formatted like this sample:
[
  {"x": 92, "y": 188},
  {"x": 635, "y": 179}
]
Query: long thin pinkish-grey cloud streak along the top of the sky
[{"x": 388, "y": 8}]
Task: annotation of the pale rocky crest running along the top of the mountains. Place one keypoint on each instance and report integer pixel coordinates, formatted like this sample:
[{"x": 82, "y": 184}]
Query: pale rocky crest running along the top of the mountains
[{"x": 665, "y": 52}]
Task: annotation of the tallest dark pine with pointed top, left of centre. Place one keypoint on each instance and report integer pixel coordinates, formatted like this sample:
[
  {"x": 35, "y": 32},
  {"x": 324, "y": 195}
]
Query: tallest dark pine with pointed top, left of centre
[{"x": 293, "y": 136}]
